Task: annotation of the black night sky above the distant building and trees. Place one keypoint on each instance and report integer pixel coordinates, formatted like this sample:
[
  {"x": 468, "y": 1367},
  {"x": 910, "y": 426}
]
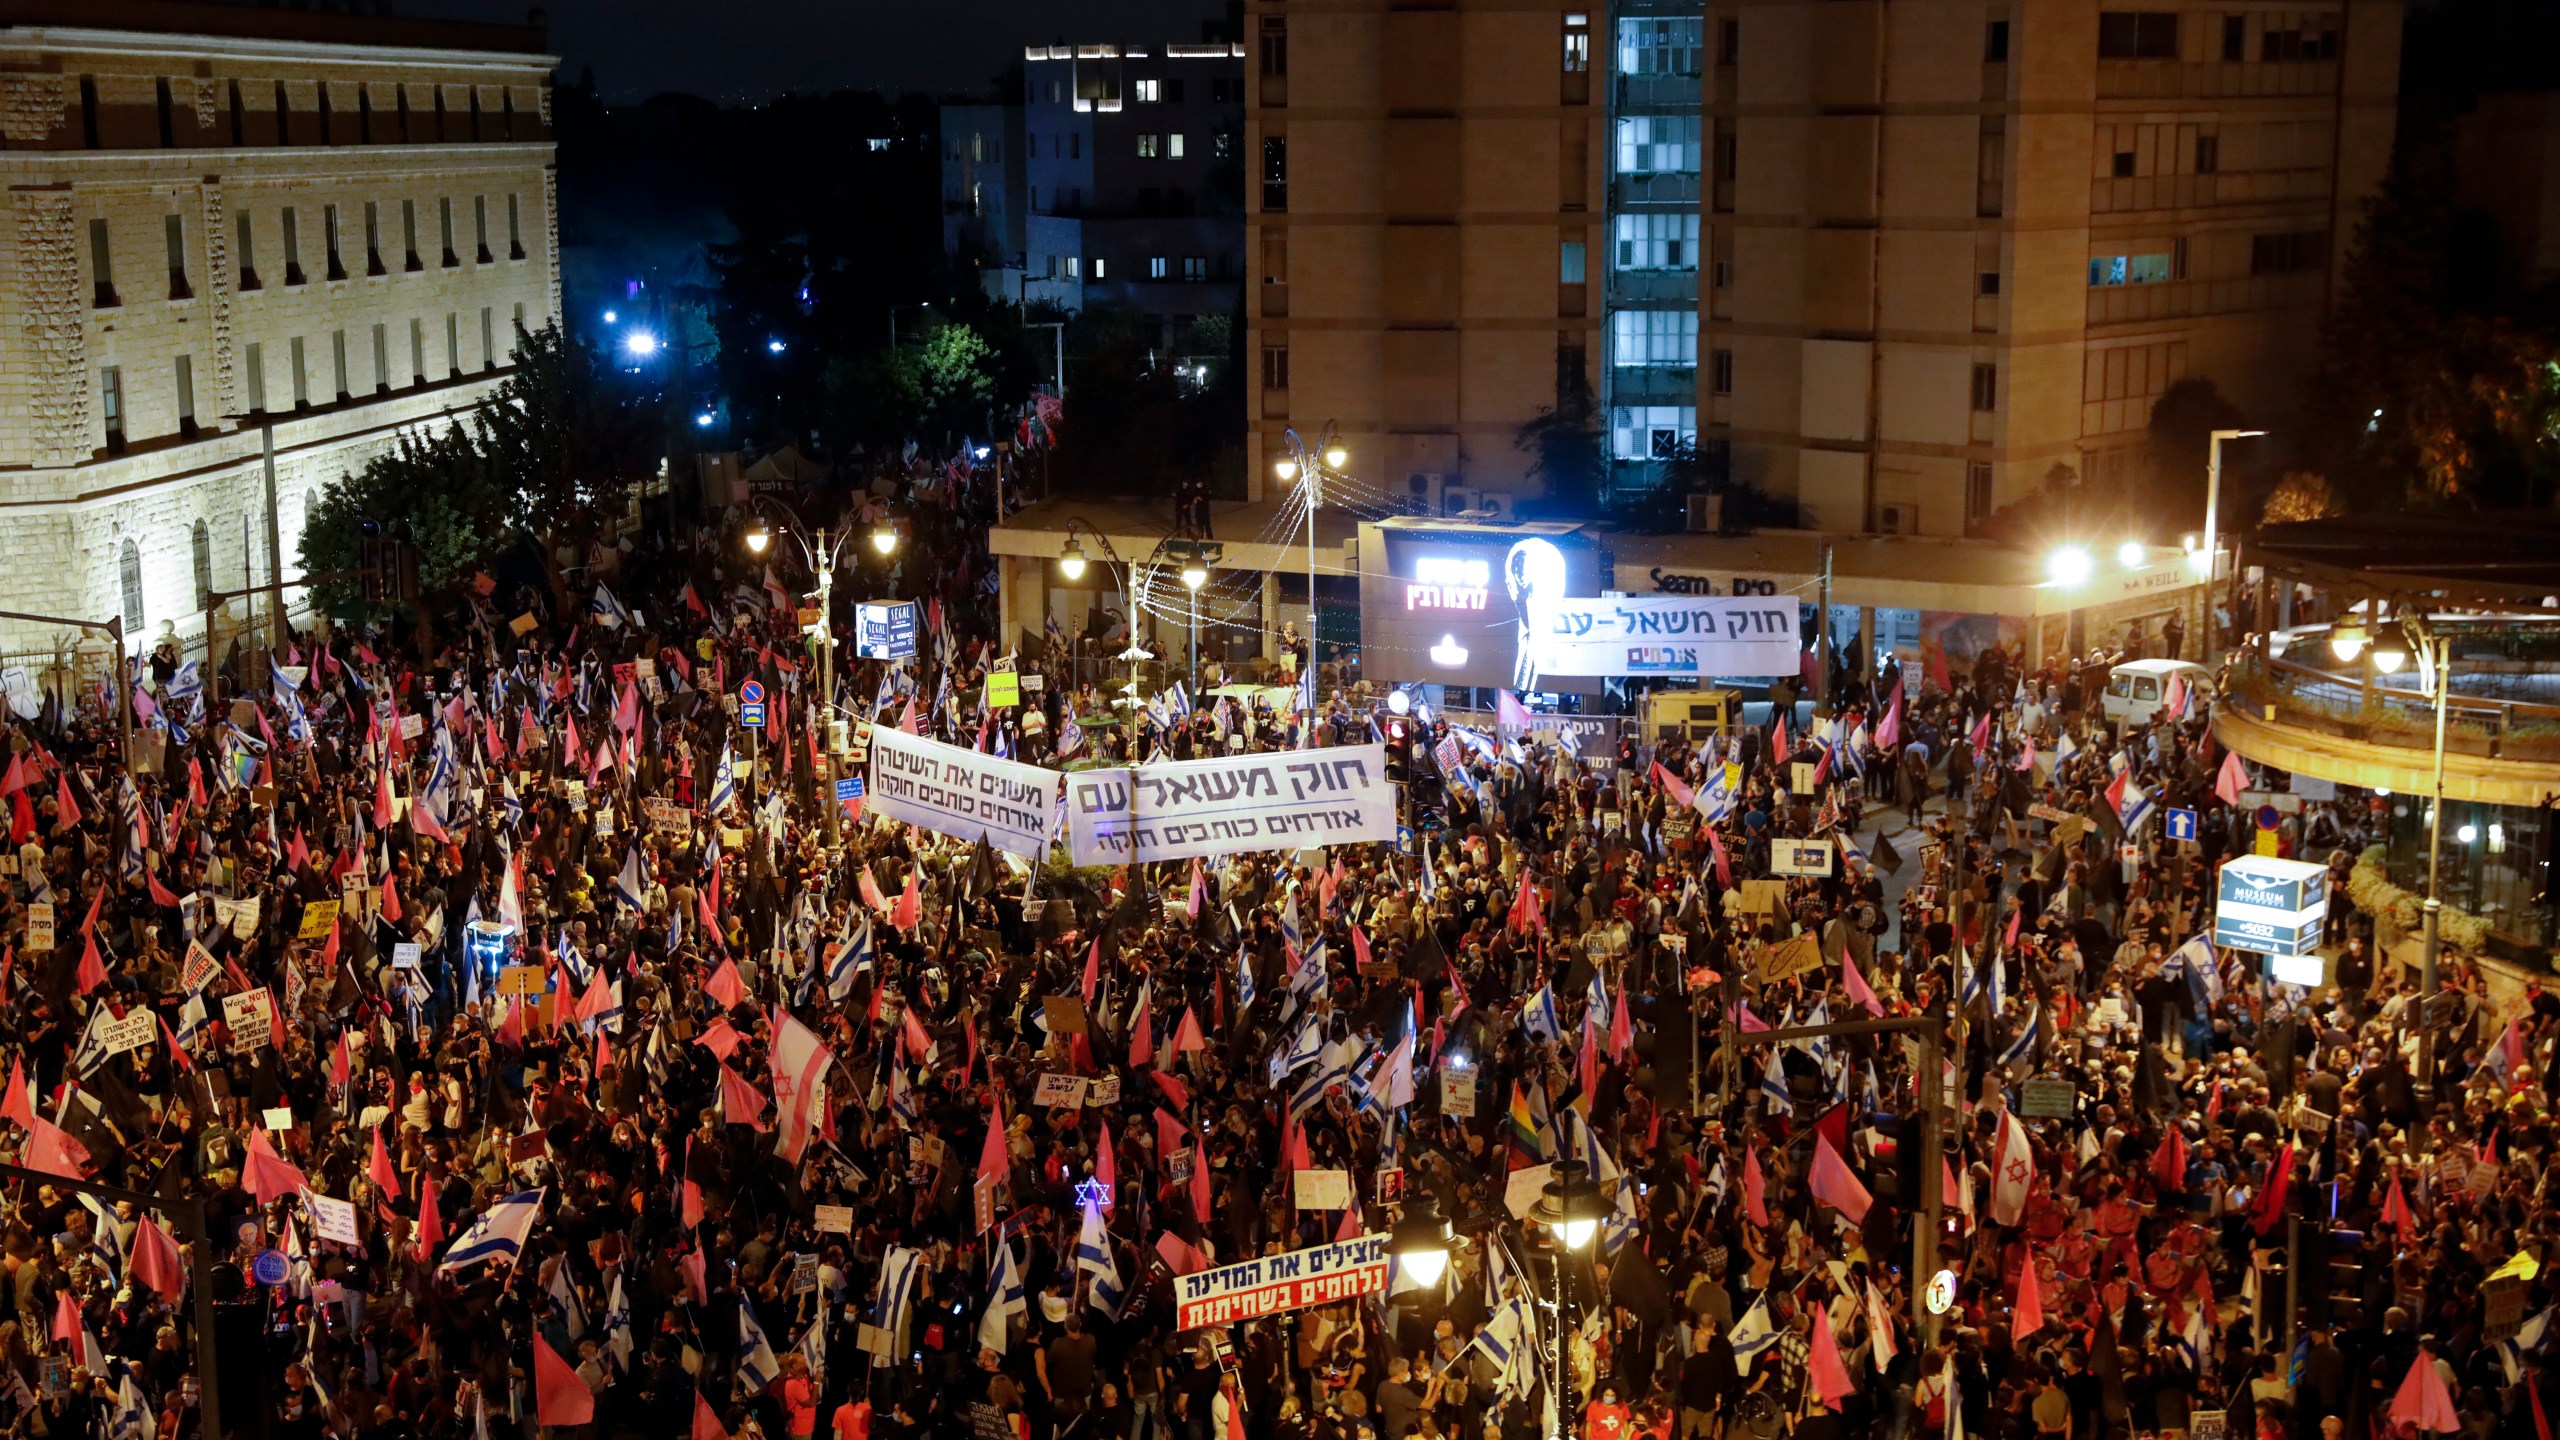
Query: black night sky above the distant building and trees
[{"x": 749, "y": 50}]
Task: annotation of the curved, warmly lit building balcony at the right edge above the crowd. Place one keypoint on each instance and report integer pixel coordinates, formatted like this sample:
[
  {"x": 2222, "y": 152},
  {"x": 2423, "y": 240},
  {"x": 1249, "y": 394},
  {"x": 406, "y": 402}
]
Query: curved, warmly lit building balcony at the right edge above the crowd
[{"x": 2295, "y": 706}]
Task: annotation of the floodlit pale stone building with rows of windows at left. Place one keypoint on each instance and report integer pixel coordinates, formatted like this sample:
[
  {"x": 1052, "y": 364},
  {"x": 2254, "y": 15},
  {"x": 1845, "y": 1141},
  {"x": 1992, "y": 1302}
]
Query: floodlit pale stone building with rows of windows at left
[{"x": 232, "y": 222}]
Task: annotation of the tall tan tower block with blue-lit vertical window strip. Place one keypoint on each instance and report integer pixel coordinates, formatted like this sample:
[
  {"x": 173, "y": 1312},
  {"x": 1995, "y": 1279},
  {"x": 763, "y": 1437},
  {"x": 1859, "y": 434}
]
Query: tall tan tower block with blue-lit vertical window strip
[{"x": 1893, "y": 263}]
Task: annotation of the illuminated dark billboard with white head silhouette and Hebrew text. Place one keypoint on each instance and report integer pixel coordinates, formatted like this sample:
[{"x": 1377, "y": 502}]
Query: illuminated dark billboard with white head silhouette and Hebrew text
[{"x": 1445, "y": 601}]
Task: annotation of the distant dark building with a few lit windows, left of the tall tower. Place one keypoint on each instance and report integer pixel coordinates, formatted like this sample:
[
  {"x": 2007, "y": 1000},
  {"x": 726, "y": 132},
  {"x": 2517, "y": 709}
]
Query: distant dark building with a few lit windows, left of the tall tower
[{"x": 1128, "y": 181}]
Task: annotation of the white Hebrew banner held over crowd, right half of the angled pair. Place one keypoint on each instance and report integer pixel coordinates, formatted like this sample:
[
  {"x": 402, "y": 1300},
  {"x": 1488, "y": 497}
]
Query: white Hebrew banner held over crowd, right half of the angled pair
[{"x": 1284, "y": 801}]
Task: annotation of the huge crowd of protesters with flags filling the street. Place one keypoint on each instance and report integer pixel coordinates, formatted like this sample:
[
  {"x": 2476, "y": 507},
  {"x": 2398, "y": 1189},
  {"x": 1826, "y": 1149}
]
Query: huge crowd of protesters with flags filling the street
[{"x": 503, "y": 1042}]
